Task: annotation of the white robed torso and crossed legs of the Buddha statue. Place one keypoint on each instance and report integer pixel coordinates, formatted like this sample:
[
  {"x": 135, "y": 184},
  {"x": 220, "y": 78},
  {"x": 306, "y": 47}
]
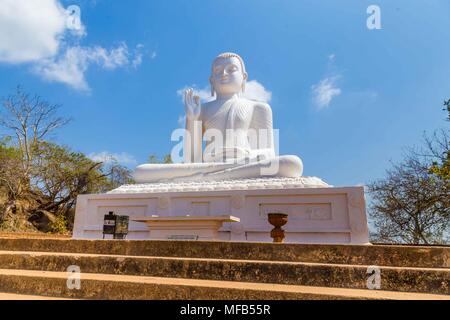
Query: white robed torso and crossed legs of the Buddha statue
[{"x": 239, "y": 145}]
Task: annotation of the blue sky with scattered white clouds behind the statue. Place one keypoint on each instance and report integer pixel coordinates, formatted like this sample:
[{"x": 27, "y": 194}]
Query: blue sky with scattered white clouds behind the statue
[{"x": 346, "y": 99}]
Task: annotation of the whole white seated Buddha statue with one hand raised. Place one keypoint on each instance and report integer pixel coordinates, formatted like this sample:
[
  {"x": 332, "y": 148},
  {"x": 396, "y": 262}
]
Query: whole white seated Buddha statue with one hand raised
[{"x": 238, "y": 134}]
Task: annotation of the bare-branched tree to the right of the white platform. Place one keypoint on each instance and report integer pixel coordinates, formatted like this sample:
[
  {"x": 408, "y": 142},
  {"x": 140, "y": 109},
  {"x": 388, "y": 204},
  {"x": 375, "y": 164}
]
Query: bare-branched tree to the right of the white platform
[{"x": 412, "y": 203}]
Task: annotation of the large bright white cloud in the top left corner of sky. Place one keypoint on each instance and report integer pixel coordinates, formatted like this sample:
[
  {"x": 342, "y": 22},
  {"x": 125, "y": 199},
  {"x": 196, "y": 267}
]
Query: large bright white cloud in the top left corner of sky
[{"x": 41, "y": 32}]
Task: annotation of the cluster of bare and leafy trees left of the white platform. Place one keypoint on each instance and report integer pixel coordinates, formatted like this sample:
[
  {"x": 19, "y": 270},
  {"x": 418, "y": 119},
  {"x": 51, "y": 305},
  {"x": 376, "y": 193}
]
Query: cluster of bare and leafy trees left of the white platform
[{"x": 39, "y": 179}]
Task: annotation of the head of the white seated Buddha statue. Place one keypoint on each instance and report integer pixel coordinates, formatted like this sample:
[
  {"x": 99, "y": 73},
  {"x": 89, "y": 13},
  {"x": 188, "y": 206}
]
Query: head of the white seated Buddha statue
[{"x": 228, "y": 74}]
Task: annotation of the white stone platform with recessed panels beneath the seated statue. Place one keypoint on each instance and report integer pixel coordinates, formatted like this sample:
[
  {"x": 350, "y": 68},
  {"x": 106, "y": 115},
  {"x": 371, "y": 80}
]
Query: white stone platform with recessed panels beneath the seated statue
[{"x": 318, "y": 213}]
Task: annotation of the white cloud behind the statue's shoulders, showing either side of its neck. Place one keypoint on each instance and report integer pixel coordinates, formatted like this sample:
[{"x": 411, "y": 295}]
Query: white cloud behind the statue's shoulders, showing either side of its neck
[{"x": 253, "y": 90}]
